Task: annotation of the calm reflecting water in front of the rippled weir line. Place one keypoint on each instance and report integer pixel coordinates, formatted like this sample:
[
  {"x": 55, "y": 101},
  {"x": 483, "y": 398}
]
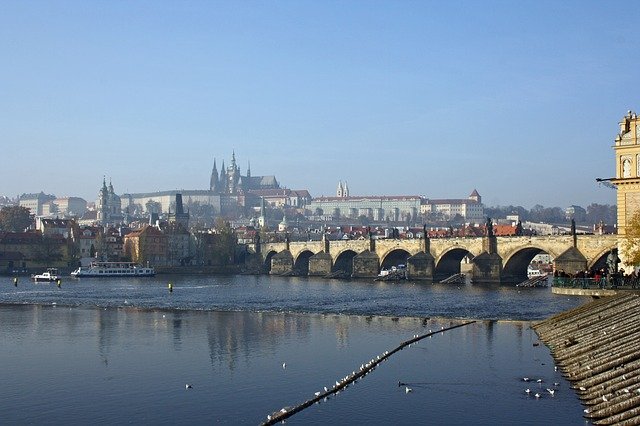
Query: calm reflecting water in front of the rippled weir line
[{"x": 124, "y": 365}]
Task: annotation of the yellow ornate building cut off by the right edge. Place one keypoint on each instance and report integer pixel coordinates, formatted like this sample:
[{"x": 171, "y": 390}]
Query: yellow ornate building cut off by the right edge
[{"x": 627, "y": 180}]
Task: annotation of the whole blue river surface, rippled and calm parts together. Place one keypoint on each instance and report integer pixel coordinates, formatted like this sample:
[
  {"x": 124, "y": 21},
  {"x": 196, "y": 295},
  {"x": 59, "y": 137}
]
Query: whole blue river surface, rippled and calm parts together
[{"x": 122, "y": 351}]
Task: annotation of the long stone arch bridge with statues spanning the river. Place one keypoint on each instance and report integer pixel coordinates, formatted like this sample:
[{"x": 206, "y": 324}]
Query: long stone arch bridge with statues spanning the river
[{"x": 488, "y": 259}]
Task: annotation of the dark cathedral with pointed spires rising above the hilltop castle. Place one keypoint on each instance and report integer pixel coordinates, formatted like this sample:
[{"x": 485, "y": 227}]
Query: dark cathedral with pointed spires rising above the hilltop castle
[{"x": 231, "y": 182}]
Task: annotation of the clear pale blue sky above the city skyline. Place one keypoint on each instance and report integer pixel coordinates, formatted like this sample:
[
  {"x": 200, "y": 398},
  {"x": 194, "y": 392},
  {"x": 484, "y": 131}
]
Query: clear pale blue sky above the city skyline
[{"x": 519, "y": 100}]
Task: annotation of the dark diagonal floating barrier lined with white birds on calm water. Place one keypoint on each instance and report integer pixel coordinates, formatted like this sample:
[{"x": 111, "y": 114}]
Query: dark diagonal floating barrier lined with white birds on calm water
[{"x": 363, "y": 370}]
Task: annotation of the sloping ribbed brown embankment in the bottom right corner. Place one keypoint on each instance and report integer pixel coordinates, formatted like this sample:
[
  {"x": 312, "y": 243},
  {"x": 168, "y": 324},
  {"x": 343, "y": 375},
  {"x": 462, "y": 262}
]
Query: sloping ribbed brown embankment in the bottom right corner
[{"x": 597, "y": 348}]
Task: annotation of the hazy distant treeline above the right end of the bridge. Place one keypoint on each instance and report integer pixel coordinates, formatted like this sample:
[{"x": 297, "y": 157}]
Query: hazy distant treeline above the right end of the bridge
[{"x": 594, "y": 213}]
